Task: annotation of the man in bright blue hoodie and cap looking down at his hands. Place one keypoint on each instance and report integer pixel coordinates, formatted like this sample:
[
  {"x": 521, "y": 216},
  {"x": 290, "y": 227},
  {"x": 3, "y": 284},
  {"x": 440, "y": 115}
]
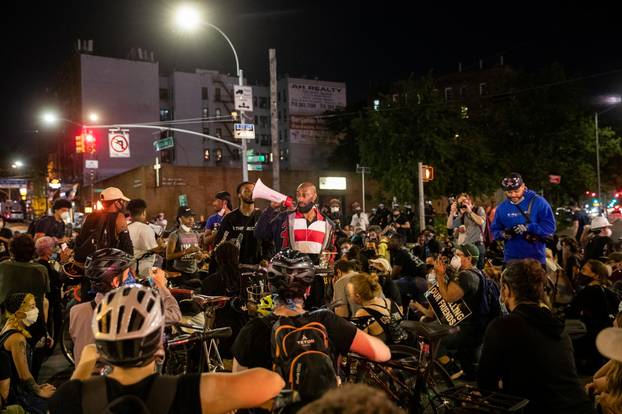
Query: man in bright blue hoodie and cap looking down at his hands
[{"x": 524, "y": 220}]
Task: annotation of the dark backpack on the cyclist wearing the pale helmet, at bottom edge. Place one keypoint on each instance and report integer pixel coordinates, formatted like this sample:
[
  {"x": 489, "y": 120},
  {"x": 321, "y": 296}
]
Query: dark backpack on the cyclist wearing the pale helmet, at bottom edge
[{"x": 159, "y": 399}]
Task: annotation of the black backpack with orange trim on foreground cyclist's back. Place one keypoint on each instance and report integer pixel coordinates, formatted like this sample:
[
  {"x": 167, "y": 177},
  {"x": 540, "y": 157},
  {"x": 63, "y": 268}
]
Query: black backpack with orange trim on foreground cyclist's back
[{"x": 303, "y": 356}]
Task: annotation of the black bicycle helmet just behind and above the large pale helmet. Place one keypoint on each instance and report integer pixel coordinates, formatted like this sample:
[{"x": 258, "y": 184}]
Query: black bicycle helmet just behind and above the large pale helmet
[{"x": 103, "y": 265}]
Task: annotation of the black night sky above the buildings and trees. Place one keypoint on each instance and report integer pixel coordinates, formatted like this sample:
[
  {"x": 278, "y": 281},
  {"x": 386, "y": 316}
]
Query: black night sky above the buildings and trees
[{"x": 365, "y": 44}]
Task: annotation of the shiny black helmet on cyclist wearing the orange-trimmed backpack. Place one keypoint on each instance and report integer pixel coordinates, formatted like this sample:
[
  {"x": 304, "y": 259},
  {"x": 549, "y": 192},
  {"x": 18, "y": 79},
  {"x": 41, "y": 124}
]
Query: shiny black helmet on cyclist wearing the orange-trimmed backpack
[{"x": 290, "y": 273}]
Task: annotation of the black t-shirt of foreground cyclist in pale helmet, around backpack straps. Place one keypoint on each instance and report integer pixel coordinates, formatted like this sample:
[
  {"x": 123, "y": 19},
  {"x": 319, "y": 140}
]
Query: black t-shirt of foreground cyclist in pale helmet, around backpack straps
[{"x": 68, "y": 398}]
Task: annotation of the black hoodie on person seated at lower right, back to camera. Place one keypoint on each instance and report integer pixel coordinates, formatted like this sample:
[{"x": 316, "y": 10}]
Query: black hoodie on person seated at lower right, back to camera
[{"x": 532, "y": 355}]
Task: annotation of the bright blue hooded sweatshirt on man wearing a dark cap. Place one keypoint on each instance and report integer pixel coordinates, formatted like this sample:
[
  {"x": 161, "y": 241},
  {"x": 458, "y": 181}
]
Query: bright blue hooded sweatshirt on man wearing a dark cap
[{"x": 542, "y": 224}]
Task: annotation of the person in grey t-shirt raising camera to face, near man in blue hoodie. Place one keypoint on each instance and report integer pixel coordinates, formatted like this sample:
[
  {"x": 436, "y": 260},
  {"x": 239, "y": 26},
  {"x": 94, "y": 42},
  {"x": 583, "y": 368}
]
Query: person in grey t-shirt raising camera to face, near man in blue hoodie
[{"x": 468, "y": 224}]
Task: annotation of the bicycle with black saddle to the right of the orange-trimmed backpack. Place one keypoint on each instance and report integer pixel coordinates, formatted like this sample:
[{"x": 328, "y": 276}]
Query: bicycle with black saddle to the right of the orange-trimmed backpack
[{"x": 412, "y": 378}]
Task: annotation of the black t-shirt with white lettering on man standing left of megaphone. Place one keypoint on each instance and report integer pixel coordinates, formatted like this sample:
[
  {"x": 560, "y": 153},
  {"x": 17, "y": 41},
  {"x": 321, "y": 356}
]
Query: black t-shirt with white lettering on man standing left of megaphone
[{"x": 236, "y": 224}]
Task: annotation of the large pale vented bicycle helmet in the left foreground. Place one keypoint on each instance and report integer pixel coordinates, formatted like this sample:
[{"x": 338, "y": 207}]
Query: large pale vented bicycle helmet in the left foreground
[{"x": 128, "y": 325}]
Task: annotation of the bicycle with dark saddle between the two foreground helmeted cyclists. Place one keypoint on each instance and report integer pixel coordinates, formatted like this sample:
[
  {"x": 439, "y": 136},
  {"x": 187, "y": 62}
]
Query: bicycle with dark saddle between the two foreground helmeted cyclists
[{"x": 181, "y": 350}]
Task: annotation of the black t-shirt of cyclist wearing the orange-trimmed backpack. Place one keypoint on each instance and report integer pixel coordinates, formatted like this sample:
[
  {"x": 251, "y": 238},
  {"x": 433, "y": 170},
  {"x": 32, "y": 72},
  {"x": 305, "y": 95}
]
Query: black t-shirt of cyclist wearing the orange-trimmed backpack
[{"x": 252, "y": 346}]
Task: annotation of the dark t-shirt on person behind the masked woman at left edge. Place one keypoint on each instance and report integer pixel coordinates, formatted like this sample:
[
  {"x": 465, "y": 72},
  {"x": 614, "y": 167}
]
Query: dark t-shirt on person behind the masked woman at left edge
[{"x": 22, "y": 277}]
